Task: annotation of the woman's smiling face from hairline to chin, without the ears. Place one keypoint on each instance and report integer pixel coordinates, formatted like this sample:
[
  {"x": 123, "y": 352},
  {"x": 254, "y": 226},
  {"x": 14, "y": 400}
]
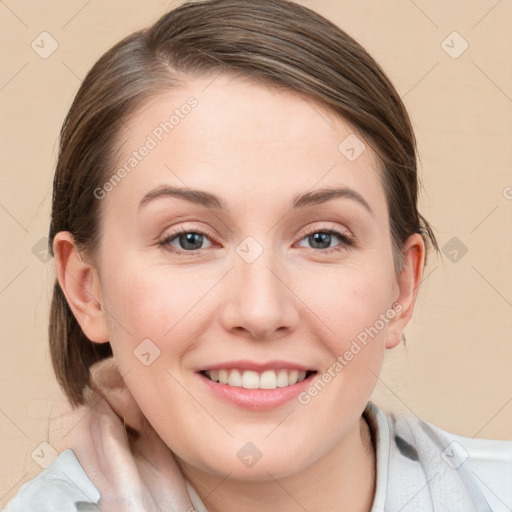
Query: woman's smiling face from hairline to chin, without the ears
[{"x": 249, "y": 319}]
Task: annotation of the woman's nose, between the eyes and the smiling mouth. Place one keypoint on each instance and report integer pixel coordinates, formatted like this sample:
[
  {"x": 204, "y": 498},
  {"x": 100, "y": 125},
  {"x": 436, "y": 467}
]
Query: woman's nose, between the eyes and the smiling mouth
[{"x": 260, "y": 300}]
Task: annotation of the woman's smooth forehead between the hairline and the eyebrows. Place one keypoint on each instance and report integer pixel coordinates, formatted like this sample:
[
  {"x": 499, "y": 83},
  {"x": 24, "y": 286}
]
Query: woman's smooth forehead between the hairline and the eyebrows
[{"x": 241, "y": 139}]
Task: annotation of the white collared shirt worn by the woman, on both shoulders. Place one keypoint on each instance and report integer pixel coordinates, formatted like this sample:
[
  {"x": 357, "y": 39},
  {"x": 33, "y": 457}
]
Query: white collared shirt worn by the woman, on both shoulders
[{"x": 419, "y": 468}]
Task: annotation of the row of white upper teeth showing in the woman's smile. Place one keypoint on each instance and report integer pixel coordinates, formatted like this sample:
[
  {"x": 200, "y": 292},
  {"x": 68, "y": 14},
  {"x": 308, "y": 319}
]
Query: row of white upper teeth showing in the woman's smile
[{"x": 248, "y": 379}]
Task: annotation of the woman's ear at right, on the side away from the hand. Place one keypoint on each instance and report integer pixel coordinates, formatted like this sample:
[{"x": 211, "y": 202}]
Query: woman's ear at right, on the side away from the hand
[{"x": 409, "y": 279}]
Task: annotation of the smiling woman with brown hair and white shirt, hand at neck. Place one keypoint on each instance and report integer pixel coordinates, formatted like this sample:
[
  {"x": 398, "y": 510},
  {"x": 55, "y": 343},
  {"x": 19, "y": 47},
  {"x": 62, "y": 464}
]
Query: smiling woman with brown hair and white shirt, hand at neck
[{"x": 235, "y": 221}]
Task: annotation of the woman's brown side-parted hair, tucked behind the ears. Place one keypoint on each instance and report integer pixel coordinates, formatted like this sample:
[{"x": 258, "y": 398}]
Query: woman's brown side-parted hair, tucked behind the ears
[{"x": 275, "y": 42}]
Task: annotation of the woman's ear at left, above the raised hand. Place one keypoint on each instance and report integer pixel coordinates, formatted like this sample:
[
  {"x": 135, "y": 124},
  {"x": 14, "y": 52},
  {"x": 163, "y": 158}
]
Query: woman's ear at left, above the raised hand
[{"x": 80, "y": 284}]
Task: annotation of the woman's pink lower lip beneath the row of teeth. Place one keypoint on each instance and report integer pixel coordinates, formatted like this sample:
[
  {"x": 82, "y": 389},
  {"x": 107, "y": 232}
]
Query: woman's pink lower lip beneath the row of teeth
[{"x": 256, "y": 399}]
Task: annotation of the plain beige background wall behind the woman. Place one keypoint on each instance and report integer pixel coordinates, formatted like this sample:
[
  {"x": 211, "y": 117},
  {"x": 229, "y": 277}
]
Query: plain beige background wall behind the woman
[{"x": 455, "y": 371}]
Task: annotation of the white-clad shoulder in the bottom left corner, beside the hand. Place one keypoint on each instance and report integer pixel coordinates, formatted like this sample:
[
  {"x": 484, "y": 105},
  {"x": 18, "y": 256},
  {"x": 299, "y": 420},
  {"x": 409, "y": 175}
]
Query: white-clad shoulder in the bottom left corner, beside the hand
[{"x": 62, "y": 487}]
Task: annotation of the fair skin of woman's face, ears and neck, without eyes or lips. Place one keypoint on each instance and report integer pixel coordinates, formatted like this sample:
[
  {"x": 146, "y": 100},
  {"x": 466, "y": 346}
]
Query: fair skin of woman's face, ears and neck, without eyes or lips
[{"x": 256, "y": 148}]
